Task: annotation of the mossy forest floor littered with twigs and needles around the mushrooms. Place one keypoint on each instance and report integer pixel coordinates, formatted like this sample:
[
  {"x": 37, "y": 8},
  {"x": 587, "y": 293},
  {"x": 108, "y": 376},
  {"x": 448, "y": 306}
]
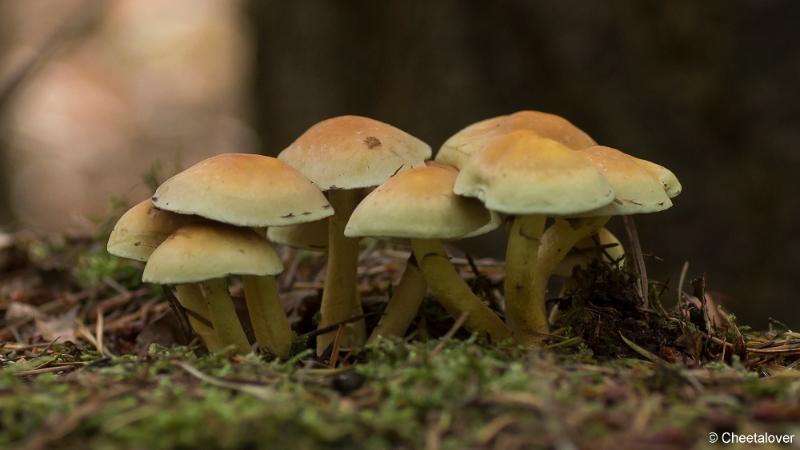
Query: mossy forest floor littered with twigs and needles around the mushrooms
[{"x": 615, "y": 373}]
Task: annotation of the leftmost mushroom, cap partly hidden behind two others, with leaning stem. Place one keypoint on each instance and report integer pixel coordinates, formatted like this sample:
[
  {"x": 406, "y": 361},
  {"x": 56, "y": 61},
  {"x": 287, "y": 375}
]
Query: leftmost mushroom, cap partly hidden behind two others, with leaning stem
[{"x": 137, "y": 233}]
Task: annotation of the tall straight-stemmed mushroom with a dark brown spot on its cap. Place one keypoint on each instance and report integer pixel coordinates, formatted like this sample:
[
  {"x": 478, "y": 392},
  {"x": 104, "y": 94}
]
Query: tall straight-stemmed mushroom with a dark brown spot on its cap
[{"x": 343, "y": 156}]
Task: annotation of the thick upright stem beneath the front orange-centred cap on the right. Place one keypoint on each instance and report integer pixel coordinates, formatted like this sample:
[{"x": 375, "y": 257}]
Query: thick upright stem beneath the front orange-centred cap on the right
[{"x": 526, "y": 318}]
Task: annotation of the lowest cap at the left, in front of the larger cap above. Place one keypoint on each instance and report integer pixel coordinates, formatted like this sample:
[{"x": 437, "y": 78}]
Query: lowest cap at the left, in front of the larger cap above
[{"x": 201, "y": 252}]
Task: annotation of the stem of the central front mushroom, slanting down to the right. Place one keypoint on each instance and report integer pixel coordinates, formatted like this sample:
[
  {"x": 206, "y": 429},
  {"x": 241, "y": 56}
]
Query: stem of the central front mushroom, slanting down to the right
[{"x": 453, "y": 293}]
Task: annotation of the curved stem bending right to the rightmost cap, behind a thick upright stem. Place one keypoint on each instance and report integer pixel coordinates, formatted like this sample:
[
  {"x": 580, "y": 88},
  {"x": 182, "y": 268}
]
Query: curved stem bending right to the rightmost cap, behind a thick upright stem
[{"x": 556, "y": 242}]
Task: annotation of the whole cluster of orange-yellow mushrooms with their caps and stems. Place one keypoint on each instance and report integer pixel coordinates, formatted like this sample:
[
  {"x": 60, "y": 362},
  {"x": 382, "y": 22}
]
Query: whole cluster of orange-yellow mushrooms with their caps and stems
[{"x": 351, "y": 177}]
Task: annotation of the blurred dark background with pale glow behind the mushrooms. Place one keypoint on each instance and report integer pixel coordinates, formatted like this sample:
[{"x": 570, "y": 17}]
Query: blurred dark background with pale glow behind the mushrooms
[{"x": 98, "y": 95}]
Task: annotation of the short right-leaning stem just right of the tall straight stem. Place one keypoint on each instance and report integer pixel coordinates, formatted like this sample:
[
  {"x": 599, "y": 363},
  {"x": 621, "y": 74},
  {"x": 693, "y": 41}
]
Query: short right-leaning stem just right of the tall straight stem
[{"x": 404, "y": 304}]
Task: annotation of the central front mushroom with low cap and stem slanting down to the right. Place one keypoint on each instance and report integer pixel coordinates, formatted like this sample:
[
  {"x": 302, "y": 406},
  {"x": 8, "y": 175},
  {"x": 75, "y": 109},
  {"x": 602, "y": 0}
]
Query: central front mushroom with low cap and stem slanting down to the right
[{"x": 419, "y": 204}]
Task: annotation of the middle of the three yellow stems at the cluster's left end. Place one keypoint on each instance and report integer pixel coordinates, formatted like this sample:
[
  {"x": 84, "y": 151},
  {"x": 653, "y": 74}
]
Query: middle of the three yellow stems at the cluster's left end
[{"x": 223, "y": 315}]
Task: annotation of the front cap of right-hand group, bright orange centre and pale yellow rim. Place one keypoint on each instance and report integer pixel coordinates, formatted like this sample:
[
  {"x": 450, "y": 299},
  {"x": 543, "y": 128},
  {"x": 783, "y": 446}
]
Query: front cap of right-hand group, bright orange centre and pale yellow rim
[{"x": 524, "y": 173}]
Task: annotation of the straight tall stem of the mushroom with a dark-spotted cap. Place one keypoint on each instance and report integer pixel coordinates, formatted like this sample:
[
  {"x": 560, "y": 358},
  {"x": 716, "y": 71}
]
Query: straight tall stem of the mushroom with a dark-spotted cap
[{"x": 339, "y": 296}]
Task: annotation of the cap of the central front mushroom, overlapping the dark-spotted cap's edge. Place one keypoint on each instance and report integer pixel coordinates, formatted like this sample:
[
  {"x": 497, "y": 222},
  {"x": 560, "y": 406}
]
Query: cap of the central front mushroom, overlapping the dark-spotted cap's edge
[{"x": 418, "y": 204}]
